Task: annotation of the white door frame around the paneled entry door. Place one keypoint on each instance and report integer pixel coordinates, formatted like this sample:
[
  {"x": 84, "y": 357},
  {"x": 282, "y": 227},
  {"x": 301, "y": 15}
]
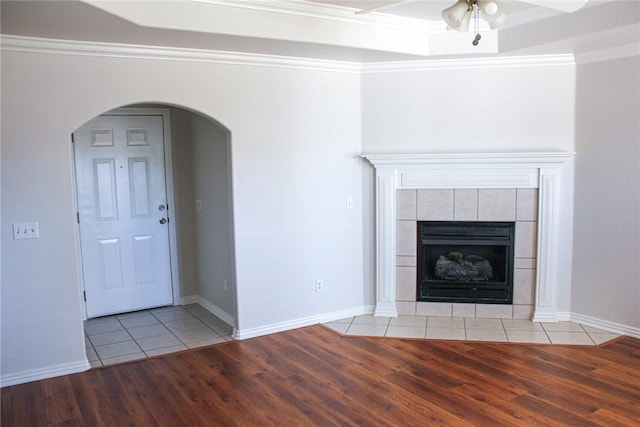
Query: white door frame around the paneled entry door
[{"x": 171, "y": 211}]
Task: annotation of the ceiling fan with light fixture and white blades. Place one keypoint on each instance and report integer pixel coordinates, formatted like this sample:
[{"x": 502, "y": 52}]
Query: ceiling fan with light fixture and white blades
[{"x": 458, "y": 16}]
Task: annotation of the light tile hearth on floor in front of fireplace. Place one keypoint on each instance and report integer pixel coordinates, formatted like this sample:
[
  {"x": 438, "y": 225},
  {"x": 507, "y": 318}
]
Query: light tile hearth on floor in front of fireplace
[{"x": 472, "y": 329}]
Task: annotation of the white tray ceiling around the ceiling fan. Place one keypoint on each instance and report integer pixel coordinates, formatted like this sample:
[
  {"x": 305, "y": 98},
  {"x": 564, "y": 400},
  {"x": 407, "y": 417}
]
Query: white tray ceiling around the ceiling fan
[{"x": 322, "y": 29}]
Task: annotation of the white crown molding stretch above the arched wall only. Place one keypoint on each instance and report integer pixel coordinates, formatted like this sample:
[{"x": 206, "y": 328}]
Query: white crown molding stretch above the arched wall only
[{"x": 129, "y": 51}]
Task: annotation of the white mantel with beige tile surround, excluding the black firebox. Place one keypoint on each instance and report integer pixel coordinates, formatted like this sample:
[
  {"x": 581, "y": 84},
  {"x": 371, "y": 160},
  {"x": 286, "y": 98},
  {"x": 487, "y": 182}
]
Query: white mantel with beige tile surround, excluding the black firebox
[{"x": 520, "y": 187}]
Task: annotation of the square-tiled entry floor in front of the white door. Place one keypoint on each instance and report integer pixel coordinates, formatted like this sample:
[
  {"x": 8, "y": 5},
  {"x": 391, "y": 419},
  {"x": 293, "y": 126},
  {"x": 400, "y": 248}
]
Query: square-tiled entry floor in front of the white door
[{"x": 141, "y": 334}]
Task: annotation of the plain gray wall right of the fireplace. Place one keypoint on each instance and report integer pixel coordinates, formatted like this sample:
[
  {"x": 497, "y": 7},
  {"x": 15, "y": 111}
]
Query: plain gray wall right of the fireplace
[{"x": 606, "y": 263}]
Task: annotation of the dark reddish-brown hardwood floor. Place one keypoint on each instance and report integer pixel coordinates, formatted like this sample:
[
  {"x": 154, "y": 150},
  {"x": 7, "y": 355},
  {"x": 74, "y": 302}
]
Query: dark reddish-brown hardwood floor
[{"x": 314, "y": 377}]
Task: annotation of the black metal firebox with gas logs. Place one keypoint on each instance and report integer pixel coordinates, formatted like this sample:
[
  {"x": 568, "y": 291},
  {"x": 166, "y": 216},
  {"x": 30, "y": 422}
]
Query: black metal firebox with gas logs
[{"x": 465, "y": 261}]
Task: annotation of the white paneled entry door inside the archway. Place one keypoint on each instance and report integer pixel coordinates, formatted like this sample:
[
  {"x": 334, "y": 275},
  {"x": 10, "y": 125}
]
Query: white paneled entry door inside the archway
[{"x": 122, "y": 205}]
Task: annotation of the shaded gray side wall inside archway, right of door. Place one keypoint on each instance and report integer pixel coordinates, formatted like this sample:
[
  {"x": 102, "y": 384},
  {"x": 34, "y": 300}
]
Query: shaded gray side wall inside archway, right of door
[{"x": 202, "y": 171}]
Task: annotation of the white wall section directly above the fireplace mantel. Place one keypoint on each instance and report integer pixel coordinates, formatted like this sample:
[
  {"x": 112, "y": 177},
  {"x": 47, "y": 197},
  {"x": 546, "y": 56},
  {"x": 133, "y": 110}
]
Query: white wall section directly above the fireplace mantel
[{"x": 489, "y": 108}]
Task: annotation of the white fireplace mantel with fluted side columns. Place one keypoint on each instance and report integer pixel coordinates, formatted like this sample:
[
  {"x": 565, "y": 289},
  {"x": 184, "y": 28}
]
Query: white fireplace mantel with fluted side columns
[{"x": 474, "y": 170}]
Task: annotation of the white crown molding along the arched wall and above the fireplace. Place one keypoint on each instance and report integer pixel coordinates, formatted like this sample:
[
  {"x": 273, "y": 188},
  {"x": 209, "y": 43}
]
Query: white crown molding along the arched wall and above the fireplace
[{"x": 11, "y": 43}]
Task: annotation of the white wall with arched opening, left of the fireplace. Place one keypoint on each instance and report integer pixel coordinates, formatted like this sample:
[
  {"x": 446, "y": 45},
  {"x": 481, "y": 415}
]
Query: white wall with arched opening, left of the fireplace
[{"x": 296, "y": 134}]
